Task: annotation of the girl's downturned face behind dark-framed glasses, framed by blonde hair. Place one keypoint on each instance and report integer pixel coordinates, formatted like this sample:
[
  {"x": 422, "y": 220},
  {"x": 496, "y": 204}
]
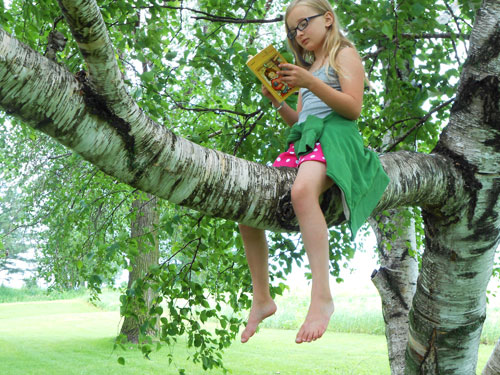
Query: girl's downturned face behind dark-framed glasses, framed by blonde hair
[{"x": 313, "y": 36}]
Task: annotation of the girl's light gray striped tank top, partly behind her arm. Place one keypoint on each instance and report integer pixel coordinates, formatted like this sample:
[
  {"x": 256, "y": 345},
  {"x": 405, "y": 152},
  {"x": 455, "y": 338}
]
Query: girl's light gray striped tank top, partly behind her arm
[{"x": 311, "y": 104}]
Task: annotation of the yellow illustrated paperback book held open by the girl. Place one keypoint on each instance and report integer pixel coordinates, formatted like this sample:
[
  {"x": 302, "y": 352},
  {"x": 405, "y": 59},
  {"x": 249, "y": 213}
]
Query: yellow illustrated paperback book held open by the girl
[{"x": 265, "y": 65}]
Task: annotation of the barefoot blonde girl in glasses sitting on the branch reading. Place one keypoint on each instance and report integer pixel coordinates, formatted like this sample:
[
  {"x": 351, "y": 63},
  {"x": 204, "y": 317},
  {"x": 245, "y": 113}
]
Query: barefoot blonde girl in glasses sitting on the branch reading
[{"x": 326, "y": 147}]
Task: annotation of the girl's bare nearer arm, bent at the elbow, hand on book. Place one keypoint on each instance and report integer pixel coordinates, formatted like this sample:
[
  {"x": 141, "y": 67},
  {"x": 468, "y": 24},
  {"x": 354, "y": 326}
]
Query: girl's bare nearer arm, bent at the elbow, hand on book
[{"x": 347, "y": 102}]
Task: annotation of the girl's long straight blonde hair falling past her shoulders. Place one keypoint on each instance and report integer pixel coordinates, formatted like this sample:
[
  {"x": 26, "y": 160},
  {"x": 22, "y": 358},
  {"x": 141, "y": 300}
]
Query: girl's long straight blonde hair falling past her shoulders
[{"x": 334, "y": 41}]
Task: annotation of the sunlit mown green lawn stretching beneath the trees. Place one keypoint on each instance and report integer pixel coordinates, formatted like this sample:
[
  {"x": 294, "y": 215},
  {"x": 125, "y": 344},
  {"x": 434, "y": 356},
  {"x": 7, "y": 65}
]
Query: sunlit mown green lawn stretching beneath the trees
[{"x": 72, "y": 337}]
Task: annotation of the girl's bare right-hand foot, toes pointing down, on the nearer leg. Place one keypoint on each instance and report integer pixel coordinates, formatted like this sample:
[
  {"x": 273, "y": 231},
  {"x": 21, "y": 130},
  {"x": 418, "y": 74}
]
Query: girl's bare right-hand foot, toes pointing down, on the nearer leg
[{"x": 316, "y": 322}]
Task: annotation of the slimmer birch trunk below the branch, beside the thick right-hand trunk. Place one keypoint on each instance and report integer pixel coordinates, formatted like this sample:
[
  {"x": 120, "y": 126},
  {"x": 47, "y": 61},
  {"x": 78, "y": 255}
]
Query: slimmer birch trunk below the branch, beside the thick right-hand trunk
[{"x": 395, "y": 280}]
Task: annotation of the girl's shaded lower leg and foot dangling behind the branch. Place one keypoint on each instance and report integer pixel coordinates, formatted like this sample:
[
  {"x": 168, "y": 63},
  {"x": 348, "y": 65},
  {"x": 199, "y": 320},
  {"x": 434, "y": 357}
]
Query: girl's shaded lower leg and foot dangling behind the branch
[{"x": 257, "y": 254}]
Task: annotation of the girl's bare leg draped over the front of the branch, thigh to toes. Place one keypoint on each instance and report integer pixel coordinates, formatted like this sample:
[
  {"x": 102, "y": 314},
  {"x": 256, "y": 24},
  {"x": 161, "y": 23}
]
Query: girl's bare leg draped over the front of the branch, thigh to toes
[{"x": 310, "y": 183}]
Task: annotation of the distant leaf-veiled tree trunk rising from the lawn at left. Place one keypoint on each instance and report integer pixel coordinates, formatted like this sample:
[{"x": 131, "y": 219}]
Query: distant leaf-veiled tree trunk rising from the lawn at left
[{"x": 143, "y": 230}]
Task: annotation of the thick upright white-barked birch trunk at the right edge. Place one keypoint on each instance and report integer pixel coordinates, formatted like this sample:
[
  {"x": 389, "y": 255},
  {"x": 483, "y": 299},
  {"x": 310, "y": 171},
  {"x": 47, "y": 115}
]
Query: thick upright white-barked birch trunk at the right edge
[{"x": 449, "y": 306}]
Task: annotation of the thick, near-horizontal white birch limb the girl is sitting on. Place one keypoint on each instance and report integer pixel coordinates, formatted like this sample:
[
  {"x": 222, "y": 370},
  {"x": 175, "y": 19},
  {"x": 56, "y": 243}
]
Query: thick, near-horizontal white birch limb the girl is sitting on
[{"x": 165, "y": 165}]
